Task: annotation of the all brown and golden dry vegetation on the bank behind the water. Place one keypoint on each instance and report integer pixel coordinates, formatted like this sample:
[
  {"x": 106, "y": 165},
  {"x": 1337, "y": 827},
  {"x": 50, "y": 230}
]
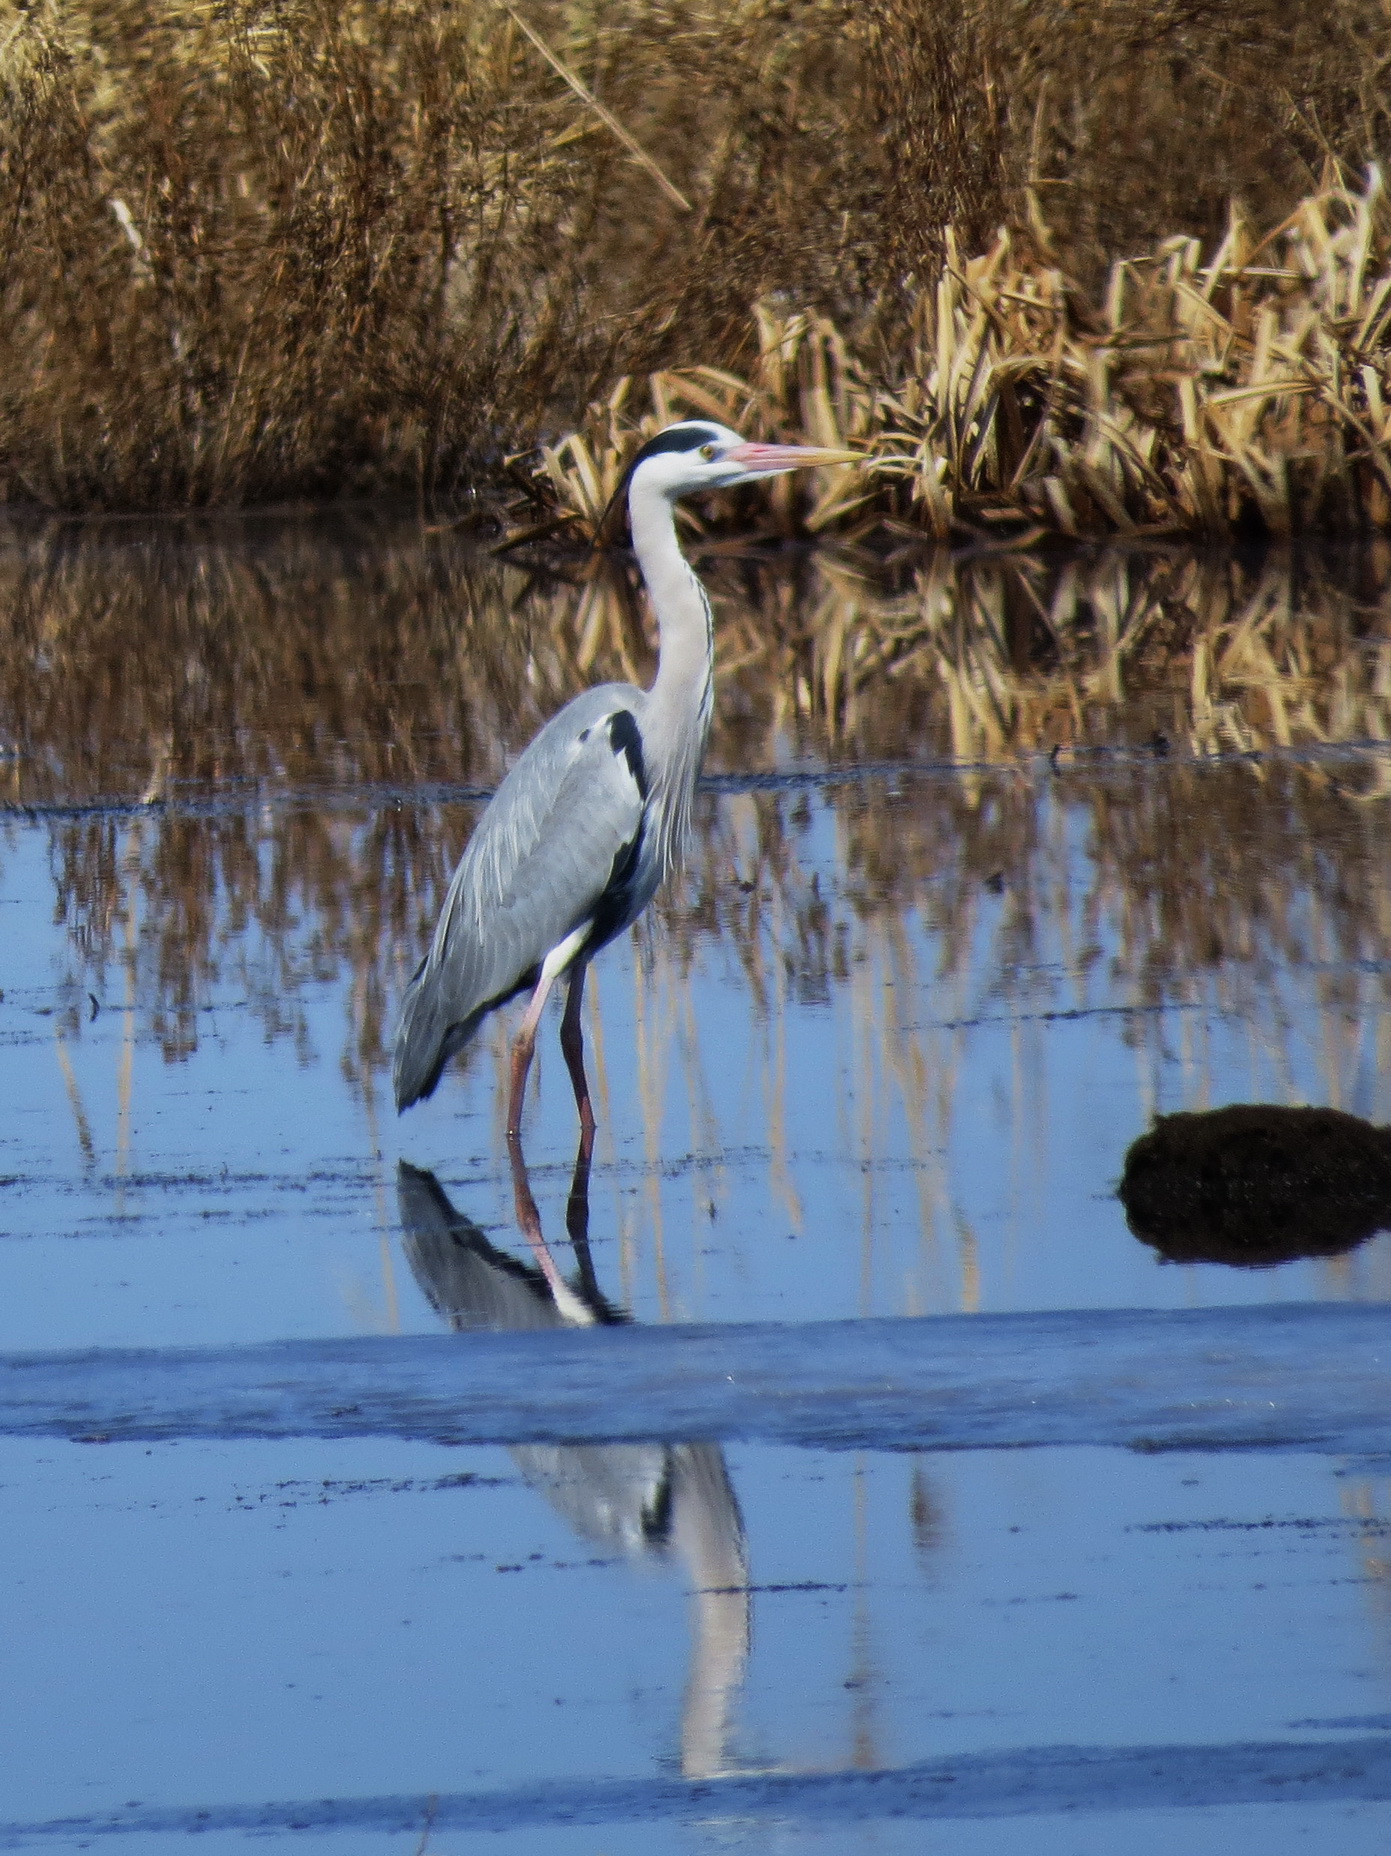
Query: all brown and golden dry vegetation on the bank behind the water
[{"x": 1074, "y": 264}]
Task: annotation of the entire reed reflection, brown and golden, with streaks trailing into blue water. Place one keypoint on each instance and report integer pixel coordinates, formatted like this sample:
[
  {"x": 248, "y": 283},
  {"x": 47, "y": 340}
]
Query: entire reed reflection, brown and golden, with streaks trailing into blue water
[{"x": 255, "y": 753}]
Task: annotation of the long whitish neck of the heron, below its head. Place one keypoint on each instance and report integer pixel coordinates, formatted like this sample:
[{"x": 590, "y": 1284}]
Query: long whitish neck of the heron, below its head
[{"x": 681, "y": 701}]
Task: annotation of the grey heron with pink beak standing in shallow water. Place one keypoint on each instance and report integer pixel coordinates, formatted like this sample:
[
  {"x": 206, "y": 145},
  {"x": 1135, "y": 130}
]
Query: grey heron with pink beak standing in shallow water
[{"x": 595, "y": 814}]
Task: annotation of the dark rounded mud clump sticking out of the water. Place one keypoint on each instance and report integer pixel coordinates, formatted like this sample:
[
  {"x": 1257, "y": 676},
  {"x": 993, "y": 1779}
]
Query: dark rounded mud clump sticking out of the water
[{"x": 1254, "y": 1185}]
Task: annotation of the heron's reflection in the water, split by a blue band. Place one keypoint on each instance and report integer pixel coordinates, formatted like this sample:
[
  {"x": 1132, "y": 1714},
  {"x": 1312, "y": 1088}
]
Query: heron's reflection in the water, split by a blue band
[{"x": 636, "y": 1499}]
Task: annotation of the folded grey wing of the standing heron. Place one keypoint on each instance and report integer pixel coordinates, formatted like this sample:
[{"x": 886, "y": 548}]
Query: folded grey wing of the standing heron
[{"x": 536, "y": 868}]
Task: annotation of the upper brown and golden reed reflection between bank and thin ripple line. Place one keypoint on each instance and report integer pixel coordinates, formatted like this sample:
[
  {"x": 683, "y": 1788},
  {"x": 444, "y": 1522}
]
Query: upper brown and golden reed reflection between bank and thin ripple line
[{"x": 148, "y": 662}]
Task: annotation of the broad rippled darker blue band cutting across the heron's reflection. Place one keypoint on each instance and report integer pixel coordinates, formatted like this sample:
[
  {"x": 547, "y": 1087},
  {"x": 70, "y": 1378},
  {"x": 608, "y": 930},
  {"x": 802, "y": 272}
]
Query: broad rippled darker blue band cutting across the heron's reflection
[{"x": 1206, "y": 1380}]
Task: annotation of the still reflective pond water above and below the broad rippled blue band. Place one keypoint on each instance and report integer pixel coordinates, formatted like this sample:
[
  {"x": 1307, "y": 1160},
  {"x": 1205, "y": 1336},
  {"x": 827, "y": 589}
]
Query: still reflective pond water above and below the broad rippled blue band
[{"x": 881, "y": 1055}]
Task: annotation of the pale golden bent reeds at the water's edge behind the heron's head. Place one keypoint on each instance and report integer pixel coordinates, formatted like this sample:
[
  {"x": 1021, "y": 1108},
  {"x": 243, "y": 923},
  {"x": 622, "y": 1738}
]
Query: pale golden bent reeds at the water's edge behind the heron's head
[{"x": 1243, "y": 394}]
